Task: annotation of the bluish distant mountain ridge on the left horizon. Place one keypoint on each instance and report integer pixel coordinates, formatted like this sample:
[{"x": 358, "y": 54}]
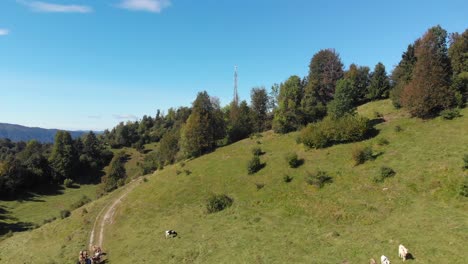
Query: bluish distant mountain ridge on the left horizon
[{"x": 22, "y": 133}]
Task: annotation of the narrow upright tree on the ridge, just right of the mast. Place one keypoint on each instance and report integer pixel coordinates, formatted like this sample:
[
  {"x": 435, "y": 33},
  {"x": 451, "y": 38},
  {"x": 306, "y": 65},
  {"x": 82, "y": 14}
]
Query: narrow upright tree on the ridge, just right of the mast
[{"x": 259, "y": 103}]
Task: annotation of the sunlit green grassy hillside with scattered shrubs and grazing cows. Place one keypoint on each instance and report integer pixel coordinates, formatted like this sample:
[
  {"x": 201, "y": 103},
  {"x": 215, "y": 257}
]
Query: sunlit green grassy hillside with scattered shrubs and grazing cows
[{"x": 353, "y": 218}]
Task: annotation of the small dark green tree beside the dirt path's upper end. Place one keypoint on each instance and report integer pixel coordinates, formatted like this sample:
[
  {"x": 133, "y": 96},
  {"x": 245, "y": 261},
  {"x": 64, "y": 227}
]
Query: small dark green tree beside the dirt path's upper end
[{"x": 117, "y": 173}]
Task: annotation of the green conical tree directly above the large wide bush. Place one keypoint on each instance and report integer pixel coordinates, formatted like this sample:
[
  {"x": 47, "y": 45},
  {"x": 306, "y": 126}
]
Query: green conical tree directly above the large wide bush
[{"x": 344, "y": 101}]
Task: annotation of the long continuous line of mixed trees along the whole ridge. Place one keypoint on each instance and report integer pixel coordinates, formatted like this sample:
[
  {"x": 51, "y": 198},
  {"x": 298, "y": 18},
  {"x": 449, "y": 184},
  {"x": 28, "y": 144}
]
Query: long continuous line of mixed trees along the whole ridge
[{"x": 431, "y": 76}]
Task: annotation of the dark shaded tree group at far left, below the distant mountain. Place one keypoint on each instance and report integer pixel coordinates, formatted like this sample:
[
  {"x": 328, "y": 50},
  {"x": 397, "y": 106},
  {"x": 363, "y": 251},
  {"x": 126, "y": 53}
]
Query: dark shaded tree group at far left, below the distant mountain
[{"x": 25, "y": 166}]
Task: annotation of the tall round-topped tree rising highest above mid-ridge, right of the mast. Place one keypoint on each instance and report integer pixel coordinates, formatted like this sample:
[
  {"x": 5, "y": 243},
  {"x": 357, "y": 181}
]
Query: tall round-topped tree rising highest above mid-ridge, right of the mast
[{"x": 325, "y": 70}]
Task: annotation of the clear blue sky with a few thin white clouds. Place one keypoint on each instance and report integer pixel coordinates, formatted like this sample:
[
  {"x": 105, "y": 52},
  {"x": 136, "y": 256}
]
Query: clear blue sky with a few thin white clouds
[{"x": 87, "y": 64}]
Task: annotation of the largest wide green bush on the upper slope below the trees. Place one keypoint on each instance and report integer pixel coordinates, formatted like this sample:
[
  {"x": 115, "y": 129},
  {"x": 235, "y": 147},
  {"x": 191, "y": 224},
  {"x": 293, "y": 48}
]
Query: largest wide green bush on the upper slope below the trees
[{"x": 329, "y": 131}]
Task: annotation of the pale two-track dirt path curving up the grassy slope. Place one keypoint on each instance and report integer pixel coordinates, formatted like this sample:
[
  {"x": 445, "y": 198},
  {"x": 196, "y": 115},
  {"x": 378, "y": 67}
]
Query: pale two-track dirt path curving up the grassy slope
[{"x": 101, "y": 221}]
